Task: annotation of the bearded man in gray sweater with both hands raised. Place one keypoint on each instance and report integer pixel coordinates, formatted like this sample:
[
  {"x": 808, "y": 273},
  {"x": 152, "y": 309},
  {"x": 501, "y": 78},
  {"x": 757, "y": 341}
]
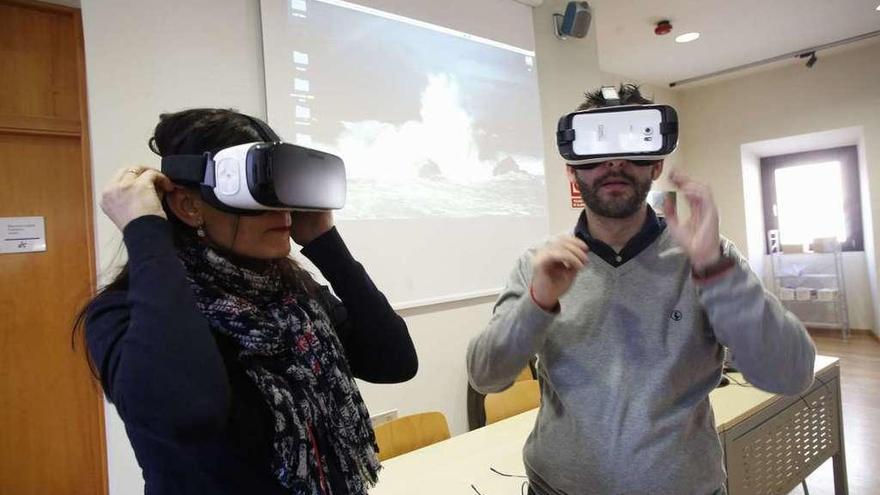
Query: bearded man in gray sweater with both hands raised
[{"x": 628, "y": 317}]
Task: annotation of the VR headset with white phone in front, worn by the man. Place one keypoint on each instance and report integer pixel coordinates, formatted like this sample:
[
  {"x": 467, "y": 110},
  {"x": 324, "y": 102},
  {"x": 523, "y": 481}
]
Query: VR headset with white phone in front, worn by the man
[{"x": 642, "y": 134}]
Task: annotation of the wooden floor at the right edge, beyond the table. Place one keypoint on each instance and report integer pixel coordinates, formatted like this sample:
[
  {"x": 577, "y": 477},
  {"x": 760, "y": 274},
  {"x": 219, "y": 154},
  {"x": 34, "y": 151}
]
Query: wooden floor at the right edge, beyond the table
[{"x": 860, "y": 388}]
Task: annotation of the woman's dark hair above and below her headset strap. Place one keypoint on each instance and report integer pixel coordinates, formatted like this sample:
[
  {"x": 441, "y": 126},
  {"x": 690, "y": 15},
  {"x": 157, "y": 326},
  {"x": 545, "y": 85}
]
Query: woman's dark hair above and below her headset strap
[{"x": 192, "y": 132}]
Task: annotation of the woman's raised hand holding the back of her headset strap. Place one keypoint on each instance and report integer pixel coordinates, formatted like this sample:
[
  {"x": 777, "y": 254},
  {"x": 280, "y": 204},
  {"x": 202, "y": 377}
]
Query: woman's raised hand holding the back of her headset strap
[{"x": 134, "y": 192}]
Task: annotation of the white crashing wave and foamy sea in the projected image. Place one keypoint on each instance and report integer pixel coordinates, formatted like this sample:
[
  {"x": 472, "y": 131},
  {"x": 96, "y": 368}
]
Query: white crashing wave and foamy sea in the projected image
[{"x": 433, "y": 166}]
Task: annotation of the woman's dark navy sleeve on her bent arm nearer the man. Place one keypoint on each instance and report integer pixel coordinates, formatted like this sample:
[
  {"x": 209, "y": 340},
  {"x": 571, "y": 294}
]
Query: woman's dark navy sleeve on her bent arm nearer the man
[{"x": 376, "y": 340}]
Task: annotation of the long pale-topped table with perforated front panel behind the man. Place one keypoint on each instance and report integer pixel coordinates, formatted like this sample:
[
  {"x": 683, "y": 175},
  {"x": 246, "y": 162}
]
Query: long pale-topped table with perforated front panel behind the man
[{"x": 770, "y": 443}]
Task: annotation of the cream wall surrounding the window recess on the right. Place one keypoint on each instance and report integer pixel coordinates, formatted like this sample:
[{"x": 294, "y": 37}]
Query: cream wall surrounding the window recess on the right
[{"x": 840, "y": 91}]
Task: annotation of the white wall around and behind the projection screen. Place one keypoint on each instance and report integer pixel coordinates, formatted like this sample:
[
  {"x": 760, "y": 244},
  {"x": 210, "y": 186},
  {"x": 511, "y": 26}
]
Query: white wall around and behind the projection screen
[{"x": 143, "y": 58}]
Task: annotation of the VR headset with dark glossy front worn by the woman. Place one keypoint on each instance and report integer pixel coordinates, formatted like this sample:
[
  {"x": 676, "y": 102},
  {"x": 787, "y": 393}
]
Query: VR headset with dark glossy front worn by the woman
[{"x": 251, "y": 178}]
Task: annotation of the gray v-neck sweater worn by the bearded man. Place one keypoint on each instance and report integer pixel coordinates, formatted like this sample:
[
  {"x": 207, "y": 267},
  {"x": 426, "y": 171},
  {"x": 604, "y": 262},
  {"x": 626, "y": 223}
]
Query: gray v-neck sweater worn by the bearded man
[{"x": 626, "y": 368}]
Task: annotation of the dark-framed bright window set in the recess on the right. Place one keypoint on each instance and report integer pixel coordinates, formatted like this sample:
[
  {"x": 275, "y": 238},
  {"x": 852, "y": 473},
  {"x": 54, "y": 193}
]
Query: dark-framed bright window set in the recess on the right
[{"x": 813, "y": 195}]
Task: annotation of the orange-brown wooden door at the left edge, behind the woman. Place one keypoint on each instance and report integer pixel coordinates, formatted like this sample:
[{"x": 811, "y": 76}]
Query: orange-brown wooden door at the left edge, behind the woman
[{"x": 51, "y": 410}]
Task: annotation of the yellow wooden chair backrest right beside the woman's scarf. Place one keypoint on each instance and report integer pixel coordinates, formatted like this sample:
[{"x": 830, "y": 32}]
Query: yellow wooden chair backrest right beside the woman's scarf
[{"x": 409, "y": 433}]
